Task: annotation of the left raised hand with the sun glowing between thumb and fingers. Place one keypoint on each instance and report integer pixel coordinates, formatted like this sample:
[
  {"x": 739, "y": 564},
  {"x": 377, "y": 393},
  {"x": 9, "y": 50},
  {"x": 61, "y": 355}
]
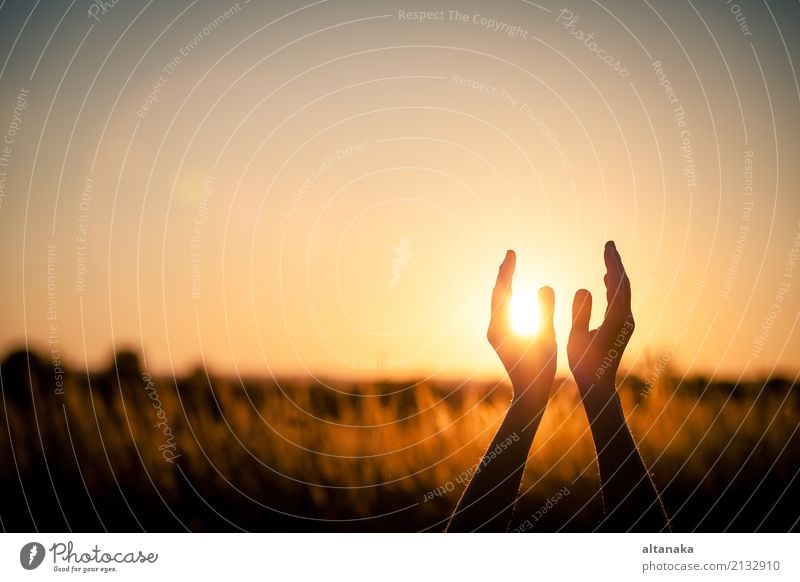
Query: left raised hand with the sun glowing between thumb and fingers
[{"x": 529, "y": 360}]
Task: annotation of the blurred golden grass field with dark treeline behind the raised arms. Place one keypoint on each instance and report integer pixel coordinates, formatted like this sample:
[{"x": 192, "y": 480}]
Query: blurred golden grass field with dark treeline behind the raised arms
[{"x": 121, "y": 451}]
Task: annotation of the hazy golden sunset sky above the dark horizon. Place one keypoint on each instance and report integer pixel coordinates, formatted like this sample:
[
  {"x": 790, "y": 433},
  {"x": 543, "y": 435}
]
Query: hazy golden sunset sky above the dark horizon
[{"x": 328, "y": 188}]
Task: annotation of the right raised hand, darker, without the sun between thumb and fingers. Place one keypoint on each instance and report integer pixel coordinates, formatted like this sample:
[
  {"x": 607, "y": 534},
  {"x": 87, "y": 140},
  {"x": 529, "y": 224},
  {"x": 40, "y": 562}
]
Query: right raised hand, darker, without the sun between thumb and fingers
[{"x": 594, "y": 355}]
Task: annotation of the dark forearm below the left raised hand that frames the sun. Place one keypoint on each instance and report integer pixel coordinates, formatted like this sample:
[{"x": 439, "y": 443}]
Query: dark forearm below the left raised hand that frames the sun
[{"x": 488, "y": 502}]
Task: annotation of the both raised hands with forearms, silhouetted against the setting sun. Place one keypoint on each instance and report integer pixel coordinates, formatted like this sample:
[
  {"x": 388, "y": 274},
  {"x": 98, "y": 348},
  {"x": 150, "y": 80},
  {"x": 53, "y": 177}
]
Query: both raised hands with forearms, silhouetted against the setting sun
[{"x": 630, "y": 498}]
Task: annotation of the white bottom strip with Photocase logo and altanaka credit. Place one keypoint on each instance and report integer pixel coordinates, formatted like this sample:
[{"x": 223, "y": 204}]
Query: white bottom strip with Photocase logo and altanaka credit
[{"x": 406, "y": 557}]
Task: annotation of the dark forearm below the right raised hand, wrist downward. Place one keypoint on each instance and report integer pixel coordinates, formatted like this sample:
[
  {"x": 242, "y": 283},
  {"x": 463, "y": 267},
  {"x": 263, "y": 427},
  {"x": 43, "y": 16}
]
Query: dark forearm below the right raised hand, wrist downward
[{"x": 630, "y": 497}]
